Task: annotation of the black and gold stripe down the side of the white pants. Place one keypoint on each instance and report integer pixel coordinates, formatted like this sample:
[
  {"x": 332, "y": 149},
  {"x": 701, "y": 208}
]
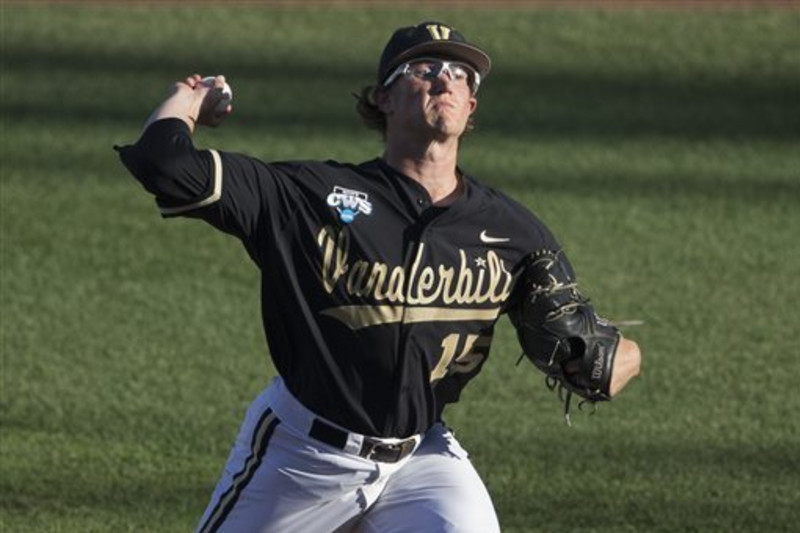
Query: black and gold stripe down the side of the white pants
[{"x": 261, "y": 435}]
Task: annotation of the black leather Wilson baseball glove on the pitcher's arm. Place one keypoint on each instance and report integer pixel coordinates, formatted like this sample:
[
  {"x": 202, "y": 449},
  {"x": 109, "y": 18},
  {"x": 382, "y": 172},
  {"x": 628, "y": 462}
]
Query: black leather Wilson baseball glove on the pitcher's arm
[{"x": 560, "y": 332}]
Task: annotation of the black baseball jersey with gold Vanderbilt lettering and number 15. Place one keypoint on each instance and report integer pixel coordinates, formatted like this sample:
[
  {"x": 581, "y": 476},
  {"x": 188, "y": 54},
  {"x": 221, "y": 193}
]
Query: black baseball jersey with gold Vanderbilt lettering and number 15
[{"x": 378, "y": 307}]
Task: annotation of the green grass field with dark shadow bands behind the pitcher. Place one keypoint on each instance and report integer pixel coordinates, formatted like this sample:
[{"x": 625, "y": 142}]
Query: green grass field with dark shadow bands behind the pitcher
[{"x": 660, "y": 146}]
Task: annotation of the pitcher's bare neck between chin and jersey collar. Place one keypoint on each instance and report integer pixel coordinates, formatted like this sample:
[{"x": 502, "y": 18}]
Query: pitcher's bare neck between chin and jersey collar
[{"x": 433, "y": 166}]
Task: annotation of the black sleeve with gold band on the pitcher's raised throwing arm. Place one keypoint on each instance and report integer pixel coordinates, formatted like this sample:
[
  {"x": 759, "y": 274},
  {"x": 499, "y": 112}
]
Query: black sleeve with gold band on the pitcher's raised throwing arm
[{"x": 236, "y": 194}]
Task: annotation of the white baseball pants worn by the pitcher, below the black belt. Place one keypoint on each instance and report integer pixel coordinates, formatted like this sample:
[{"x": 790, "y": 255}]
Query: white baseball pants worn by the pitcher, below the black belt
[{"x": 280, "y": 479}]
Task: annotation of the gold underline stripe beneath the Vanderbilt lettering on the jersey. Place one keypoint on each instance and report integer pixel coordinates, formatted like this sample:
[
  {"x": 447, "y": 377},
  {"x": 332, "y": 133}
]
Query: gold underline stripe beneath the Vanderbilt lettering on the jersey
[{"x": 362, "y": 316}]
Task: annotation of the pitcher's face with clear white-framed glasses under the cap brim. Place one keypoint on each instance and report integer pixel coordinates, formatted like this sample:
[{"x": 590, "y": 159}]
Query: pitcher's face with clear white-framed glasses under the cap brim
[{"x": 431, "y": 96}]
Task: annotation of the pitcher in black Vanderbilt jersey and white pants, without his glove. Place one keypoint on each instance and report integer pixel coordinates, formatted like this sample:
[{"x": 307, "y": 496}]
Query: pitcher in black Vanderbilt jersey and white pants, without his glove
[{"x": 381, "y": 286}]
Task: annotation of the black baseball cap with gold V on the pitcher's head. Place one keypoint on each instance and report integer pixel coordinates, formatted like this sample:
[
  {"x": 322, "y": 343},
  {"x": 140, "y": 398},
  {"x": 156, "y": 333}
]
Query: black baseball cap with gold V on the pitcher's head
[{"x": 430, "y": 39}]
